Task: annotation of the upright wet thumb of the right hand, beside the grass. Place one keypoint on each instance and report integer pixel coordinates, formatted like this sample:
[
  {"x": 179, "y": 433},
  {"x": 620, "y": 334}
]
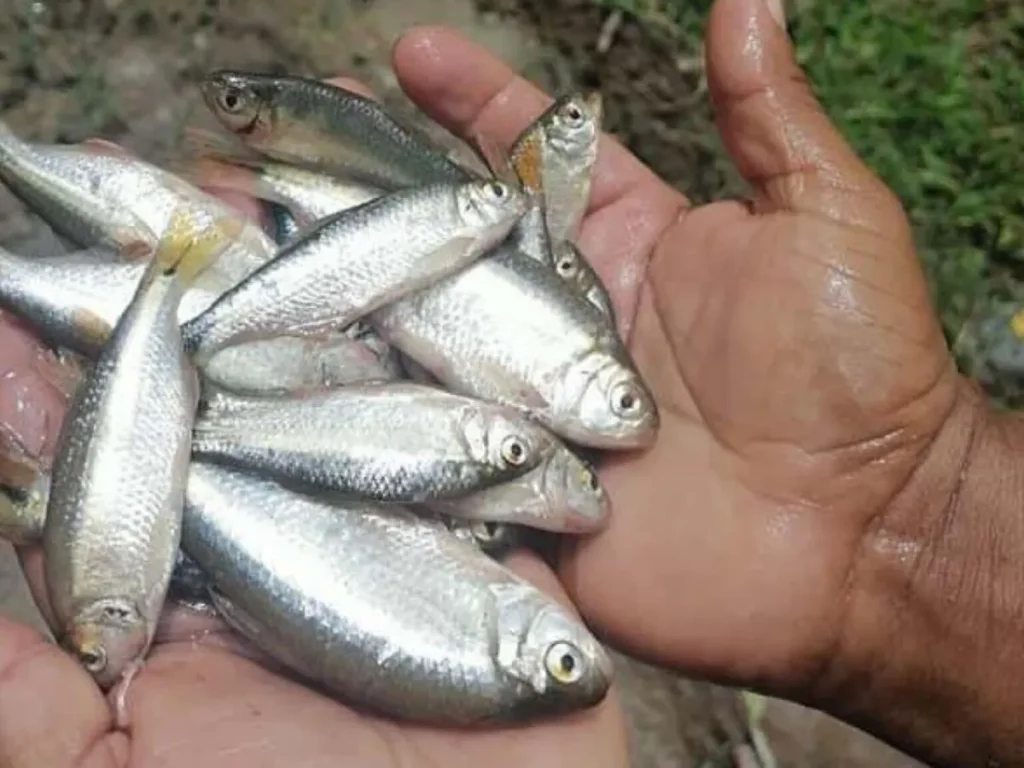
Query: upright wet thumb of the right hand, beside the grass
[{"x": 772, "y": 124}]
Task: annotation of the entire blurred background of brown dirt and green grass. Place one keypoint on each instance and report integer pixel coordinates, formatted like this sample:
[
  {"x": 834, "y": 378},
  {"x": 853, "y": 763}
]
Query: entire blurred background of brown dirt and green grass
[{"x": 931, "y": 95}]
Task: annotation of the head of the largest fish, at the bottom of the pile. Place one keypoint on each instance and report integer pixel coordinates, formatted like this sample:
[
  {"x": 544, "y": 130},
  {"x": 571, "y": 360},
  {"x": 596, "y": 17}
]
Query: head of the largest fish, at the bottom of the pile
[{"x": 561, "y": 664}]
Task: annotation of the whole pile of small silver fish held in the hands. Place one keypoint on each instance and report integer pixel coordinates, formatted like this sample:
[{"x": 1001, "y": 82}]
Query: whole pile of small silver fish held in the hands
[{"x": 325, "y": 430}]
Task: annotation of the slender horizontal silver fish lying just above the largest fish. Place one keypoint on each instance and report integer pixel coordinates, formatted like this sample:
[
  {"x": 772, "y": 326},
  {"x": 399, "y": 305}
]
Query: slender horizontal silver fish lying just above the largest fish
[{"x": 390, "y": 443}]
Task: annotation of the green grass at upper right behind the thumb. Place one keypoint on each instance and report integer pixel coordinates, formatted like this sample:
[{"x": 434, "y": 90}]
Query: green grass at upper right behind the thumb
[{"x": 932, "y": 97}]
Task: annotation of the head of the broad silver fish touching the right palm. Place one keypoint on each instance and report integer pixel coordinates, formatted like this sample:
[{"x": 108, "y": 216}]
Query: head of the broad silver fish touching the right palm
[{"x": 604, "y": 403}]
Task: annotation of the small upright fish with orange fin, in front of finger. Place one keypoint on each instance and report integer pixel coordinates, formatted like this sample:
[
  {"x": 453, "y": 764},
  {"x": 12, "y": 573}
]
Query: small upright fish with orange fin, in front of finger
[{"x": 556, "y": 155}]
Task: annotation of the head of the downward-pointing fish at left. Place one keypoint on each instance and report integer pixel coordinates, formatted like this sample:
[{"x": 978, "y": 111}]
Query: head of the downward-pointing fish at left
[{"x": 108, "y": 636}]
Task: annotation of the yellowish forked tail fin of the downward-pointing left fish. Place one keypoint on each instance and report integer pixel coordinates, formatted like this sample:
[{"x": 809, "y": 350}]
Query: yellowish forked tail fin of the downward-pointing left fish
[{"x": 186, "y": 253}]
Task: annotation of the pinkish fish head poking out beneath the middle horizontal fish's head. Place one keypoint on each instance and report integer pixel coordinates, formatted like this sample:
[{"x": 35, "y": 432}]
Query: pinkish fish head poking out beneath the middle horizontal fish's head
[{"x": 573, "y": 494}]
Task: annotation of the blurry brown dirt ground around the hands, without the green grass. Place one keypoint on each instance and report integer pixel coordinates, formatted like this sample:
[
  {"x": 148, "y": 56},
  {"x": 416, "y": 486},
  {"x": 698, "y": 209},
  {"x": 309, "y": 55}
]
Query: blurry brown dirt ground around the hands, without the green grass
[{"x": 125, "y": 70}]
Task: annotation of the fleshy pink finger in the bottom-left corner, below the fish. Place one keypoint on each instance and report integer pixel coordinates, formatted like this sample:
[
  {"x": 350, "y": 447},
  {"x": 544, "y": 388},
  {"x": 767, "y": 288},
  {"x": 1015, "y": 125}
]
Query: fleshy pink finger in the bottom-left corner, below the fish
[{"x": 52, "y": 714}]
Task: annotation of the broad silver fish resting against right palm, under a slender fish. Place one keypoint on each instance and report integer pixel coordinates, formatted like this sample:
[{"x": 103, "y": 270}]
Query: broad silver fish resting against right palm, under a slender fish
[{"x": 508, "y": 330}]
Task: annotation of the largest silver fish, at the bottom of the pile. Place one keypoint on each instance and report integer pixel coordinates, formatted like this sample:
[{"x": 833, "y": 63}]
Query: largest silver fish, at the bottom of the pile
[{"x": 385, "y": 609}]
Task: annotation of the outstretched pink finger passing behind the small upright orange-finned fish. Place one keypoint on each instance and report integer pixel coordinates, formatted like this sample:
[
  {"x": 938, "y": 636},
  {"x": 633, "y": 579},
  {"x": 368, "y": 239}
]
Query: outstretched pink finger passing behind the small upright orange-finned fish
[{"x": 472, "y": 93}]
